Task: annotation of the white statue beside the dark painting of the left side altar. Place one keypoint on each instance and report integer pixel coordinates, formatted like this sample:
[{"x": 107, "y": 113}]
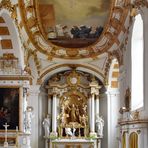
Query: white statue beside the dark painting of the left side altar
[{"x": 29, "y": 116}]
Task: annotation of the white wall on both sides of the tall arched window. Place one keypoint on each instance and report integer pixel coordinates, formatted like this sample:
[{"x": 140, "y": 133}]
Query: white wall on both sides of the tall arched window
[{"x": 125, "y": 70}]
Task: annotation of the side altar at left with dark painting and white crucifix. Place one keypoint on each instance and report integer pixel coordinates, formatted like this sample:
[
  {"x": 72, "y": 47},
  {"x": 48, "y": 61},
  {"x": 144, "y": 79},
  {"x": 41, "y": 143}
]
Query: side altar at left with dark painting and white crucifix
[{"x": 15, "y": 114}]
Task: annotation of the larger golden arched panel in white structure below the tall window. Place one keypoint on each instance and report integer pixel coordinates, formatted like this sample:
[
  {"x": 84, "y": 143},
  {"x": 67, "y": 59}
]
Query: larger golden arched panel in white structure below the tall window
[{"x": 133, "y": 140}]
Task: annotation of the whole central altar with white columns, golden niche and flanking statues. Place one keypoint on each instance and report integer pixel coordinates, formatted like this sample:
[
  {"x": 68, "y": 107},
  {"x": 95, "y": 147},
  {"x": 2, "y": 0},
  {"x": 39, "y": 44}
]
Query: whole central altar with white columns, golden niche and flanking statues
[{"x": 73, "y": 111}]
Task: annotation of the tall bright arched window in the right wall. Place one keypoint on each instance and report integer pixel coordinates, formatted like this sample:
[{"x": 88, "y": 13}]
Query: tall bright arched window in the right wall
[{"x": 137, "y": 63}]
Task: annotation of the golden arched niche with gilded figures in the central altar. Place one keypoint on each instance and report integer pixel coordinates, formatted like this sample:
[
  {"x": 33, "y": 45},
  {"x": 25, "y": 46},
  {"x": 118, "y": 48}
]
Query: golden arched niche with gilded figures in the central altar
[{"x": 73, "y": 118}]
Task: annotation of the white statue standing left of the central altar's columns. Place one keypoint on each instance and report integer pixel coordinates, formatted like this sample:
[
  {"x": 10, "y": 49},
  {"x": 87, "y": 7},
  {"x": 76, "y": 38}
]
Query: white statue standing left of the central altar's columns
[{"x": 46, "y": 125}]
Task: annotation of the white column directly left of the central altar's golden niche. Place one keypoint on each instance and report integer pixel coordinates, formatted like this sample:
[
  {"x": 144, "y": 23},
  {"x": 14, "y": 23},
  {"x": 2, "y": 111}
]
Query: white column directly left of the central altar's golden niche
[{"x": 54, "y": 114}]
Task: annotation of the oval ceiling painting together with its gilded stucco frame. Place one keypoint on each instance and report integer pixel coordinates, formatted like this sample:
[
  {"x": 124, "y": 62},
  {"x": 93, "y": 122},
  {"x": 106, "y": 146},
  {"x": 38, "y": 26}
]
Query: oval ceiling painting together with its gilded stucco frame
[{"x": 73, "y": 30}]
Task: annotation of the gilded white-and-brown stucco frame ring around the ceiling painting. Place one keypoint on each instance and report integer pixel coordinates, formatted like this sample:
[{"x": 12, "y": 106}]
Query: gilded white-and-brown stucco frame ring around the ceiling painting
[{"x": 113, "y": 27}]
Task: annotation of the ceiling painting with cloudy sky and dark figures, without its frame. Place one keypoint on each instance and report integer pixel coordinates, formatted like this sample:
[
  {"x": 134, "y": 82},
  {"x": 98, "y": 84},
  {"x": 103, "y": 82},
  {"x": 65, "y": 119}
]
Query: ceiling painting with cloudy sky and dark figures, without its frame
[{"x": 73, "y": 23}]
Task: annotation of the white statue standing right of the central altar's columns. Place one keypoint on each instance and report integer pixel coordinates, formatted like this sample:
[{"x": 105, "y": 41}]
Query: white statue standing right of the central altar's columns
[{"x": 99, "y": 125}]
